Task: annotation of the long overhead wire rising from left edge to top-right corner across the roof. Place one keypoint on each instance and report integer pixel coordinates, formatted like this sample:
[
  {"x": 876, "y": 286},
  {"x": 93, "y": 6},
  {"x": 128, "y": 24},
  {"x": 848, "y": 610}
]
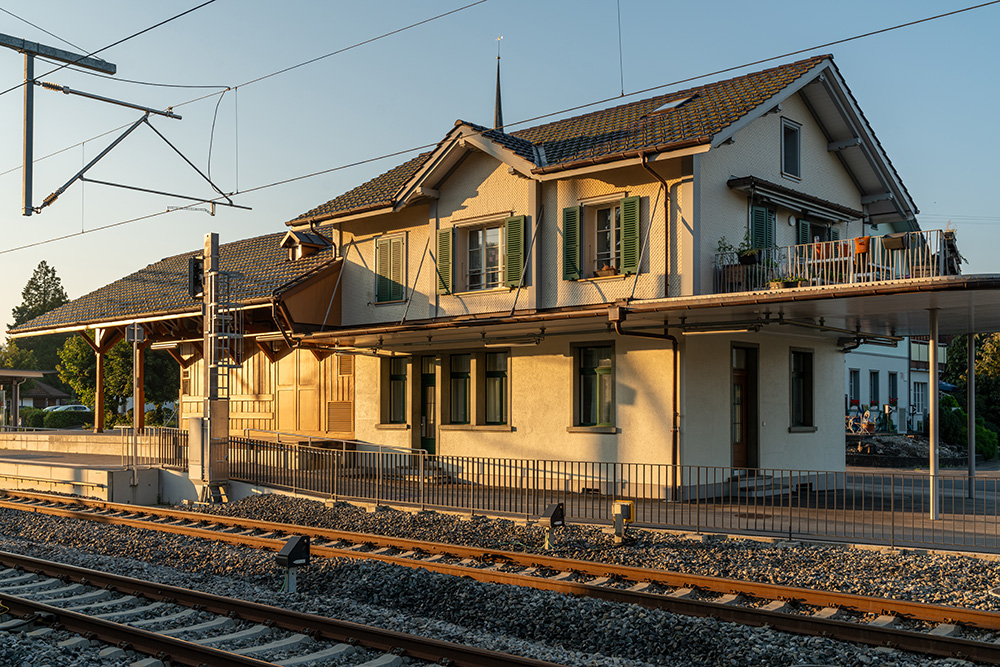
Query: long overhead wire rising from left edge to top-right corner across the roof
[{"x": 532, "y": 119}]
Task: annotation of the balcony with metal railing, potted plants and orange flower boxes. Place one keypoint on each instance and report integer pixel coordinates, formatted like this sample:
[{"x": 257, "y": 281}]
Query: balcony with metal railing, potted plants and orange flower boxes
[{"x": 858, "y": 260}]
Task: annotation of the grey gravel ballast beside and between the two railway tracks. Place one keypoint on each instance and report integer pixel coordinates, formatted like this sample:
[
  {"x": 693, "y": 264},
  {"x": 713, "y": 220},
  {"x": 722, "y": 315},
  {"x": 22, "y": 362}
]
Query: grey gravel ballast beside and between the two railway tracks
[{"x": 567, "y": 630}]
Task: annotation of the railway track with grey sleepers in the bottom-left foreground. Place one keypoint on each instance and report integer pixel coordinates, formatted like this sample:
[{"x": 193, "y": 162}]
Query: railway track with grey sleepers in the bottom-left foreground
[{"x": 186, "y": 627}]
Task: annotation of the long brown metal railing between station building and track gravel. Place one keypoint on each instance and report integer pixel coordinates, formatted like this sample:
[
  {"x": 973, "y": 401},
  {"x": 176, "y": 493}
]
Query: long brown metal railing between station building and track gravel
[{"x": 887, "y": 508}]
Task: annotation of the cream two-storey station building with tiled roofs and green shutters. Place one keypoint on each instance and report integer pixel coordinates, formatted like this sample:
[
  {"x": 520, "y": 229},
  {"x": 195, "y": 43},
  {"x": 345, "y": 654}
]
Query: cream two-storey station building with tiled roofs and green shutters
[{"x": 673, "y": 280}]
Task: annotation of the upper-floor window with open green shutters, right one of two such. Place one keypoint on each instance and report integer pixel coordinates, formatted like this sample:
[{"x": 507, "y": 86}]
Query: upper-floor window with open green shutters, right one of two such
[{"x": 601, "y": 239}]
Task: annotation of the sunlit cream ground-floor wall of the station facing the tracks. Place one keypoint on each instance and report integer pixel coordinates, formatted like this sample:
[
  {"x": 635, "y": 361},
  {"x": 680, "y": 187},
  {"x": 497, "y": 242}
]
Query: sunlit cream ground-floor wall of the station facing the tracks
[{"x": 541, "y": 386}]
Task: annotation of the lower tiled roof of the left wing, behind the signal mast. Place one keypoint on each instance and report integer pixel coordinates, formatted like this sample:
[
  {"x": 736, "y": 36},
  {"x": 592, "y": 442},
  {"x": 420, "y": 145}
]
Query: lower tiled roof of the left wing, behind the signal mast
[{"x": 260, "y": 264}]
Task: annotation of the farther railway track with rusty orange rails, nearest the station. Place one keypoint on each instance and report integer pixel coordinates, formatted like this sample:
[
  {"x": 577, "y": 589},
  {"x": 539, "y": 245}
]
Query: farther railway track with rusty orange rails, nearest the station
[{"x": 922, "y": 628}]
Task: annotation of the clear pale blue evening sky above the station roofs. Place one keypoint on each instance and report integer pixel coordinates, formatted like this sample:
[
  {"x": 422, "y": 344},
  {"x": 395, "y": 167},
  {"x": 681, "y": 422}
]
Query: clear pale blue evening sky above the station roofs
[{"x": 927, "y": 90}]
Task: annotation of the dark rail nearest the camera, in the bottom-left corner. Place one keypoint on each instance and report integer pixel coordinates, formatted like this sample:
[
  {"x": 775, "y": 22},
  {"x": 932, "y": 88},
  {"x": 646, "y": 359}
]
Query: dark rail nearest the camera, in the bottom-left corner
[{"x": 163, "y": 647}]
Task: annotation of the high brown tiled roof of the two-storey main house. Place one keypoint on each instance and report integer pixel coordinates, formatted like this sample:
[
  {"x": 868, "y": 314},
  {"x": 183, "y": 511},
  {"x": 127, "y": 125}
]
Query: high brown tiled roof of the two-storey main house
[{"x": 608, "y": 132}]
